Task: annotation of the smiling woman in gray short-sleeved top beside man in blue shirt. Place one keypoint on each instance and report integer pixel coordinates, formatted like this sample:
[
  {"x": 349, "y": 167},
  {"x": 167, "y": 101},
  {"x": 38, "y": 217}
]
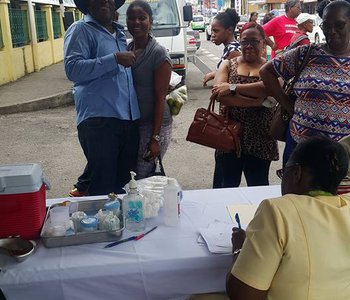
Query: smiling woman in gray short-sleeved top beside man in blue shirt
[{"x": 151, "y": 73}]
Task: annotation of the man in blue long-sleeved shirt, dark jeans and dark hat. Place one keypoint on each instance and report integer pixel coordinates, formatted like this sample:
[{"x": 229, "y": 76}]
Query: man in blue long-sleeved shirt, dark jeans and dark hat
[{"x": 96, "y": 60}]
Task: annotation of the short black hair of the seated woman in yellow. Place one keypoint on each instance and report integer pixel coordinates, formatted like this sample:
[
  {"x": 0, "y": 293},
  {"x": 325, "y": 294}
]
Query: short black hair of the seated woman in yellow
[{"x": 324, "y": 159}]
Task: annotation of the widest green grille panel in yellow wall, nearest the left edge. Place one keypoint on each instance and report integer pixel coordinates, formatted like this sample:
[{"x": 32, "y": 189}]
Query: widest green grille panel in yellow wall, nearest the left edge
[{"x": 19, "y": 27}]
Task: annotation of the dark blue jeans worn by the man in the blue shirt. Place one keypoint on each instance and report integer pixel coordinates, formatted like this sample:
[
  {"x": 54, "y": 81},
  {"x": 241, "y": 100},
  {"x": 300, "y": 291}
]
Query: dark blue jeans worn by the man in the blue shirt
[{"x": 110, "y": 146}]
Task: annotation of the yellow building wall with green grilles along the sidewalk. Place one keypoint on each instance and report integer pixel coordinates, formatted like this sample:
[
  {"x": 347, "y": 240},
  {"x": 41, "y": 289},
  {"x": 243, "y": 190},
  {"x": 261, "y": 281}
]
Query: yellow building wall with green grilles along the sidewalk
[{"x": 31, "y": 35}]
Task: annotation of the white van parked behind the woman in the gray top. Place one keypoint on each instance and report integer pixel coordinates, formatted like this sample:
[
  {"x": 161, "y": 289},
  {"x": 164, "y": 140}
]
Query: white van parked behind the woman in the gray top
[{"x": 168, "y": 28}]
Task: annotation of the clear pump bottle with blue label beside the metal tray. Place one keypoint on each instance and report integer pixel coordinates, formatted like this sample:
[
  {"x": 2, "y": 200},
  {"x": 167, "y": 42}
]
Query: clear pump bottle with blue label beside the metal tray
[{"x": 133, "y": 205}]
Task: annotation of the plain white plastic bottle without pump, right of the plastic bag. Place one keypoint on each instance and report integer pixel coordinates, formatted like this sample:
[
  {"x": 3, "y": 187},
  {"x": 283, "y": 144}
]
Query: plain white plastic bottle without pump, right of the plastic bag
[{"x": 172, "y": 194}]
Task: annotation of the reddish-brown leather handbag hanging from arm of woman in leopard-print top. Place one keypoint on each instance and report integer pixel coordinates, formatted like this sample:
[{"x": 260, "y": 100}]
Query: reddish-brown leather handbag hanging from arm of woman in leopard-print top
[{"x": 215, "y": 131}]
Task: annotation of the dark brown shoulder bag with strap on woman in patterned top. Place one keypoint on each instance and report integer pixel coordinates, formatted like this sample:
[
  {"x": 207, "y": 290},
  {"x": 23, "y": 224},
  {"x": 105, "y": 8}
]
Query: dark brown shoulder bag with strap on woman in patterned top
[{"x": 281, "y": 118}]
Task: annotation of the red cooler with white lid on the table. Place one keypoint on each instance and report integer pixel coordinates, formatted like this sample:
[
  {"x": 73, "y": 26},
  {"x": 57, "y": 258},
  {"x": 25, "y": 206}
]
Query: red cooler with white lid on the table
[{"x": 22, "y": 200}]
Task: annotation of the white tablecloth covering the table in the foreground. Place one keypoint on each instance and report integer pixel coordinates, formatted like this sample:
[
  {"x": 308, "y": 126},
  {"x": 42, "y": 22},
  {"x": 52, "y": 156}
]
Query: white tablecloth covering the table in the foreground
[{"x": 166, "y": 264}]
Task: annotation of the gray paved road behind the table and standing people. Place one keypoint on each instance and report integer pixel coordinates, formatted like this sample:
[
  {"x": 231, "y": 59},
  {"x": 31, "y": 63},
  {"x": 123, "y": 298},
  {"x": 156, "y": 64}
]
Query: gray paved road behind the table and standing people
[{"x": 49, "y": 137}]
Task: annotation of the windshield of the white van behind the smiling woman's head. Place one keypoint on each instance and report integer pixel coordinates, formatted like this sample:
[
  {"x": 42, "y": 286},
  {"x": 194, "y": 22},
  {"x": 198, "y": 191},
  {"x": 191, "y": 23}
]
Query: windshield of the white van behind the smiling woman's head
[{"x": 164, "y": 13}]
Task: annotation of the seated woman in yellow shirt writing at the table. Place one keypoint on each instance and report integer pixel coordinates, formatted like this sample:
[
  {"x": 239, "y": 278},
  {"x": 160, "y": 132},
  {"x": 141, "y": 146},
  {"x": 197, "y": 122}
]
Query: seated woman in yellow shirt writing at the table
[{"x": 297, "y": 246}]
